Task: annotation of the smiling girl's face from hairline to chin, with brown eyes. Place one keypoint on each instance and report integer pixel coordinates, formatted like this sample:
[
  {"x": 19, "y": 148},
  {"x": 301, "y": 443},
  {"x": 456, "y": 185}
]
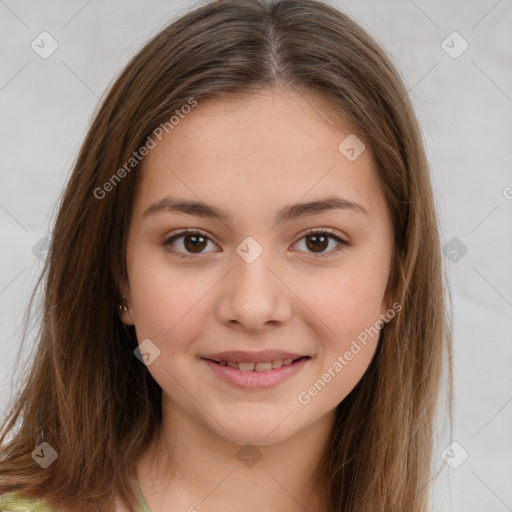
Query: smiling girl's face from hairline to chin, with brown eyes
[{"x": 309, "y": 282}]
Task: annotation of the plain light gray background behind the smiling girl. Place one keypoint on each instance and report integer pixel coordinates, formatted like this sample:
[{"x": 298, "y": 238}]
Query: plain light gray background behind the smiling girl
[{"x": 464, "y": 105}]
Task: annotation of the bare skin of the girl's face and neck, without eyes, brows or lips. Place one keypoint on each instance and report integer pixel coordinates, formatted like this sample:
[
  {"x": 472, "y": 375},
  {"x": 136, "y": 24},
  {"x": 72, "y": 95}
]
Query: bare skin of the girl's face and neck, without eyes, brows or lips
[{"x": 252, "y": 157}]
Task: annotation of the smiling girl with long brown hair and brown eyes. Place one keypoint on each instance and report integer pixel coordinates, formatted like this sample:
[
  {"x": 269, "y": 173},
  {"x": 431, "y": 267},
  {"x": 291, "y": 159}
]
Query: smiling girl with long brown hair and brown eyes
[{"x": 244, "y": 297}]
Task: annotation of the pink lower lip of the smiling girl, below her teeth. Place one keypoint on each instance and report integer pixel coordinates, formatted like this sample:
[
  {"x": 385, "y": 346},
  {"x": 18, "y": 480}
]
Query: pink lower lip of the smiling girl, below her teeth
[{"x": 254, "y": 379}]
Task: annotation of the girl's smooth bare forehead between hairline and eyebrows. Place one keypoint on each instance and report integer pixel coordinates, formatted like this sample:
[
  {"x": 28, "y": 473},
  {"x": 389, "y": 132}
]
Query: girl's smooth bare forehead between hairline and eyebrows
[{"x": 273, "y": 147}]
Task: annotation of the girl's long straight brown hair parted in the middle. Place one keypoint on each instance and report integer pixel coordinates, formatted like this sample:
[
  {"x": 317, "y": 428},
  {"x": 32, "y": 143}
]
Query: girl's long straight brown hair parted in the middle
[{"x": 86, "y": 393}]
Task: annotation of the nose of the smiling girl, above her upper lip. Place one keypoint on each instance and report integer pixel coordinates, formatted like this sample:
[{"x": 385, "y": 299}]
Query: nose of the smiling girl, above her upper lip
[{"x": 253, "y": 296}]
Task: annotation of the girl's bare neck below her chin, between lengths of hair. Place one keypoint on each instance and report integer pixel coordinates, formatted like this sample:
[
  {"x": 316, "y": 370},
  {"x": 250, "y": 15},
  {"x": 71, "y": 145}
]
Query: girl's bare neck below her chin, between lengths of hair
[{"x": 189, "y": 465}]
